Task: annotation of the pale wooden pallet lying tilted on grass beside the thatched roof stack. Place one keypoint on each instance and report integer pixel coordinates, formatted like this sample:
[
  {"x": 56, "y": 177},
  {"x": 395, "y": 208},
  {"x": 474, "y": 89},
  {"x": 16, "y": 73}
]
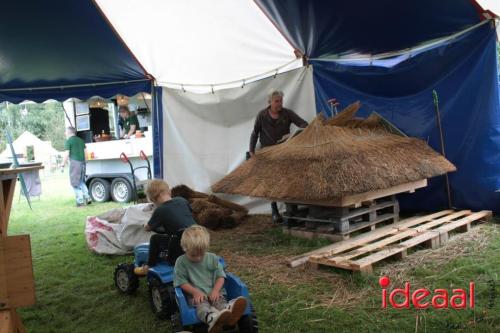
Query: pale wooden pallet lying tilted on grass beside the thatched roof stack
[{"x": 360, "y": 253}]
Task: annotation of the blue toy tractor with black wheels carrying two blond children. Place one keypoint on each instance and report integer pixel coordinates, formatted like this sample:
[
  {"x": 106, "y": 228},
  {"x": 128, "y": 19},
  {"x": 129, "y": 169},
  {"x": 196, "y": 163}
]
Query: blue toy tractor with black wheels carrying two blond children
[{"x": 169, "y": 302}]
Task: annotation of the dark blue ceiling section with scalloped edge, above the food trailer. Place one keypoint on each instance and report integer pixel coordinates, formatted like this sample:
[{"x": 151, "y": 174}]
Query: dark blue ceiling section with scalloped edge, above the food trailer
[{"x": 60, "y": 49}]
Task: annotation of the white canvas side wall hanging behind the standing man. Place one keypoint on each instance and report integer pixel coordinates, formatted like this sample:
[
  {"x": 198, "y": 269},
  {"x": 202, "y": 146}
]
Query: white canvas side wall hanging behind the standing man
[{"x": 207, "y": 135}]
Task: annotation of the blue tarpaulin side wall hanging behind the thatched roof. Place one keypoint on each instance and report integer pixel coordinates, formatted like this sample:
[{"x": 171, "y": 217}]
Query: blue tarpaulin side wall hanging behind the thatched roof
[{"x": 464, "y": 74}]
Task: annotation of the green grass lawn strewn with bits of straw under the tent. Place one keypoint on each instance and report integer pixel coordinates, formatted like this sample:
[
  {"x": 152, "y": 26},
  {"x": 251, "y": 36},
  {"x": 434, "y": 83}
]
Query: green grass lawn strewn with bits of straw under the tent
[{"x": 75, "y": 291}]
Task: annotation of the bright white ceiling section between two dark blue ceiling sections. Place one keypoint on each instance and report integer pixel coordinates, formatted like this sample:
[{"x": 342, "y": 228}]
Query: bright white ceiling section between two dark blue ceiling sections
[{"x": 200, "y": 42}]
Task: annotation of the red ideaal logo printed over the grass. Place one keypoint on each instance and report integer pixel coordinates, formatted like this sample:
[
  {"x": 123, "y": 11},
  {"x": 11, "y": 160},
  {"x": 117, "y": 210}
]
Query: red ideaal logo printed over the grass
[{"x": 423, "y": 298}]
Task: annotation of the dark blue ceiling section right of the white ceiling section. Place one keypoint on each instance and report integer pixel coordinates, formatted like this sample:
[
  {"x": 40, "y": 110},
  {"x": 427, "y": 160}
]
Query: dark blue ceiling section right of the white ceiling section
[{"x": 322, "y": 28}]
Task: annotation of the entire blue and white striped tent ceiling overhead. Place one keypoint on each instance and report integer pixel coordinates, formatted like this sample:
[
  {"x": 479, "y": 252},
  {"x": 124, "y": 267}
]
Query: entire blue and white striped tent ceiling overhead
[{"x": 66, "y": 43}]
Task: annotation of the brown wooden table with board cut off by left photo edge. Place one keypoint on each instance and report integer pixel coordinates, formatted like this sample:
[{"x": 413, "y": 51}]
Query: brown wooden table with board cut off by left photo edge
[{"x": 17, "y": 284}]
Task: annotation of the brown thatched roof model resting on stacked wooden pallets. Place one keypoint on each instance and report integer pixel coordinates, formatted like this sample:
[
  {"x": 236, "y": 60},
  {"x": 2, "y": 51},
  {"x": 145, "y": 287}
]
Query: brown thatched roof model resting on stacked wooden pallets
[{"x": 327, "y": 162}]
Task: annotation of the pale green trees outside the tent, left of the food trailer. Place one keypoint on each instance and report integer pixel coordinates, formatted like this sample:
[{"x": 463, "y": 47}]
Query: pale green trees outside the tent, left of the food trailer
[{"x": 45, "y": 121}]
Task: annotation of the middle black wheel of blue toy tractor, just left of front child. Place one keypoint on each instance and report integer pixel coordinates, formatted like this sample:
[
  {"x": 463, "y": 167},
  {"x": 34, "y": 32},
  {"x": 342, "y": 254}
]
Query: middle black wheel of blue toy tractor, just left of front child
[{"x": 162, "y": 298}]
